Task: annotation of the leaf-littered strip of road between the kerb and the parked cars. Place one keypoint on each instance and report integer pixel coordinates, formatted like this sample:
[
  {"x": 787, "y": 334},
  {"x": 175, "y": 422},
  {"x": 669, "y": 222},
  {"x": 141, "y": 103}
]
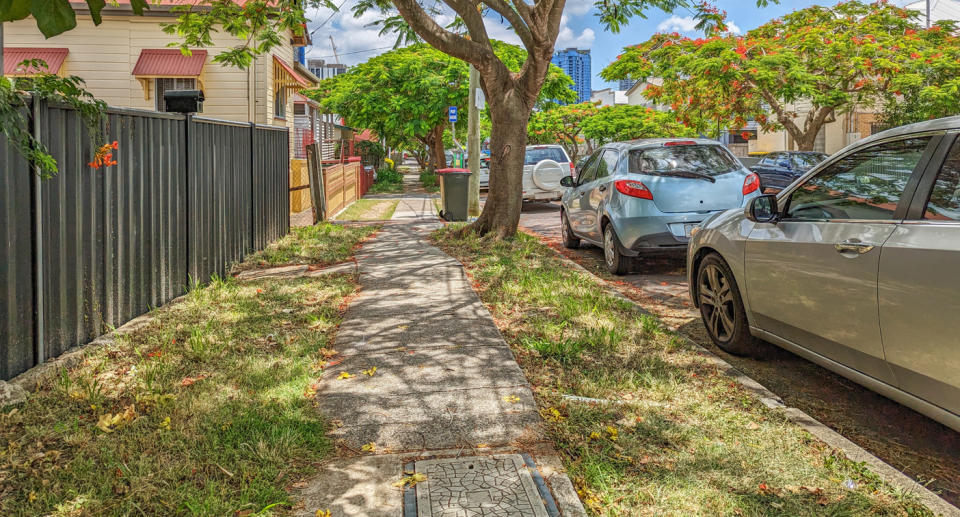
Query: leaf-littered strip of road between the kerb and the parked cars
[{"x": 919, "y": 447}]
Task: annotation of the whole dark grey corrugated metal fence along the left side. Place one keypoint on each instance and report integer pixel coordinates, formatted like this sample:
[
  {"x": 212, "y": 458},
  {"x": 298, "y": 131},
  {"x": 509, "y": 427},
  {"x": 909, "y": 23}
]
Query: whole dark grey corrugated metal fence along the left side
[{"x": 188, "y": 197}]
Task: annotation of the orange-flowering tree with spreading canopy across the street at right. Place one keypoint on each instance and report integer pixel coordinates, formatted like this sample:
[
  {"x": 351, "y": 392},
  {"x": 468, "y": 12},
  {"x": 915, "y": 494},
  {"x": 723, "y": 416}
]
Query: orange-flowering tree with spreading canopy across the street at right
[{"x": 801, "y": 71}]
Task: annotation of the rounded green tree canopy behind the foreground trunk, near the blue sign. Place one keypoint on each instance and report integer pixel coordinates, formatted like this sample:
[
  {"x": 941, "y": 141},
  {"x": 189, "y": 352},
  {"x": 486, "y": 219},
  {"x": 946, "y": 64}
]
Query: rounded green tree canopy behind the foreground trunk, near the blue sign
[{"x": 404, "y": 94}]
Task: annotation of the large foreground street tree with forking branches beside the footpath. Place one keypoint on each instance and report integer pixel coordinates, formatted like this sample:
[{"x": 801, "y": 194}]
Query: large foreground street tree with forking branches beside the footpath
[{"x": 511, "y": 95}]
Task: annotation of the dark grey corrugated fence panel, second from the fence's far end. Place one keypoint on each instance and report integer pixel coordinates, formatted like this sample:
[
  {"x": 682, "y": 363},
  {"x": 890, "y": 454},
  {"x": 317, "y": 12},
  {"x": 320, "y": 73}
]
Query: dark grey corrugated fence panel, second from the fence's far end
[{"x": 219, "y": 196}]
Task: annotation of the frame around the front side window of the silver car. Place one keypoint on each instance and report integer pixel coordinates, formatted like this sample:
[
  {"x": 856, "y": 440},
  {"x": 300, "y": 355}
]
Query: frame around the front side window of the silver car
[{"x": 907, "y": 200}]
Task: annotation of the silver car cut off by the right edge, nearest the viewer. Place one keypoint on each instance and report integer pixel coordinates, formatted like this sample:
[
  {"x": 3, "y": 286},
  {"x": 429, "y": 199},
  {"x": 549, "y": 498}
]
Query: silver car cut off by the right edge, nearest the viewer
[{"x": 868, "y": 240}]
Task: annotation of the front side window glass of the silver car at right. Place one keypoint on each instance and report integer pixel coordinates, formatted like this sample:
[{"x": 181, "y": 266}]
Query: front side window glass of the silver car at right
[{"x": 867, "y": 184}]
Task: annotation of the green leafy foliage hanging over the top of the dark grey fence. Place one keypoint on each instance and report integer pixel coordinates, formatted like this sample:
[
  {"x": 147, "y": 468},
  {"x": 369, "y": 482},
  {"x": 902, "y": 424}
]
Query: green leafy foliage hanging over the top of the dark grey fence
[{"x": 52, "y": 88}]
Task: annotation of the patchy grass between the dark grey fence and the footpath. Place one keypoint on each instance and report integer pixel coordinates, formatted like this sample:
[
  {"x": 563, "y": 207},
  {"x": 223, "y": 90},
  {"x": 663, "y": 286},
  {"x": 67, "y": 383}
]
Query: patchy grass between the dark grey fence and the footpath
[{"x": 205, "y": 411}]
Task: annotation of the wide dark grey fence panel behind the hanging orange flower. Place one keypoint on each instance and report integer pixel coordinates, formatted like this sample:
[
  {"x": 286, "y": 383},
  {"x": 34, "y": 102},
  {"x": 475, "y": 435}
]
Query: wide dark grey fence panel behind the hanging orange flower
[{"x": 110, "y": 236}]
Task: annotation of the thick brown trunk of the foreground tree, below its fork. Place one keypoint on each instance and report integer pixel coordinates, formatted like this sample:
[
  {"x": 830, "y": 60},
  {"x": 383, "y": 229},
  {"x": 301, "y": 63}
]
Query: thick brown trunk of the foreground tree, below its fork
[{"x": 508, "y": 139}]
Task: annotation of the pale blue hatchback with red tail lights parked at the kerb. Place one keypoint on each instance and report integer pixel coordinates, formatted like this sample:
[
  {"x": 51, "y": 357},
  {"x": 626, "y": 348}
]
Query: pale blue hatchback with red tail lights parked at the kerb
[{"x": 646, "y": 196}]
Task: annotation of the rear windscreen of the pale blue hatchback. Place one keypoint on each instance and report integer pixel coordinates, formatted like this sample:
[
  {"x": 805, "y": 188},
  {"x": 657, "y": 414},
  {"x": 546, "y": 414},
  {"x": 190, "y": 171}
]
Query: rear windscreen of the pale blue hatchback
[{"x": 711, "y": 160}]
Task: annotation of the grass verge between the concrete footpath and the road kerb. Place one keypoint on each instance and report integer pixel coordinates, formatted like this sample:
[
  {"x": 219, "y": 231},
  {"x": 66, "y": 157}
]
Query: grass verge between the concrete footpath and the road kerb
[{"x": 681, "y": 438}]
